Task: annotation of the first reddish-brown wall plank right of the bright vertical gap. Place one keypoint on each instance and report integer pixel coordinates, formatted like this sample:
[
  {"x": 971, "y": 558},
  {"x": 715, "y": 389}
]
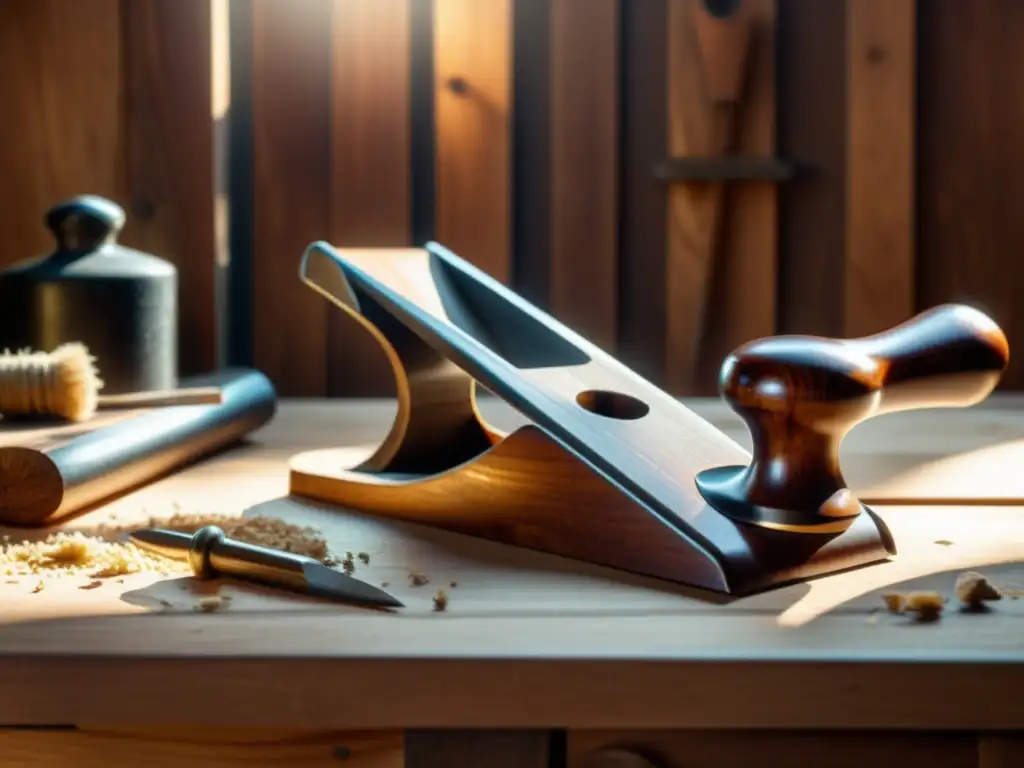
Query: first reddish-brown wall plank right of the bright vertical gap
[{"x": 291, "y": 87}]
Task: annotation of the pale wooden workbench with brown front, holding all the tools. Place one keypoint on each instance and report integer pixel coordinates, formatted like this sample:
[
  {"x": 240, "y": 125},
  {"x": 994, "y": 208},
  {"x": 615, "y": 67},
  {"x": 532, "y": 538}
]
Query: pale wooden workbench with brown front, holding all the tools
[{"x": 130, "y": 674}]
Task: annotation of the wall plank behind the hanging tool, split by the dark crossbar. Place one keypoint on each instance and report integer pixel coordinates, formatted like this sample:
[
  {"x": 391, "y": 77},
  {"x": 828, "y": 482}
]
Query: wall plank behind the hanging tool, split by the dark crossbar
[{"x": 721, "y": 245}]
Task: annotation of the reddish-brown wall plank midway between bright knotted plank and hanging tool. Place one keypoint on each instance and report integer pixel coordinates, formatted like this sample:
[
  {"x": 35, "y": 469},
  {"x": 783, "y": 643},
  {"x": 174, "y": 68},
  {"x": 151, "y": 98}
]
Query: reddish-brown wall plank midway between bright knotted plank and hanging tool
[{"x": 585, "y": 60}]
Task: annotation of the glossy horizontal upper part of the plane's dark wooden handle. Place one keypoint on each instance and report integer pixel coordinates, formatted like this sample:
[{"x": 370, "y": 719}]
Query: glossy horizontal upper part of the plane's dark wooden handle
[{"x": 951, "y": 357}]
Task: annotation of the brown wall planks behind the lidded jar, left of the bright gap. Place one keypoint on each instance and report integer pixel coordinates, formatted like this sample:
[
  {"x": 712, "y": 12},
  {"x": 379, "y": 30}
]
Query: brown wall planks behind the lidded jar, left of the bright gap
[{"x": 114, "y": 98}]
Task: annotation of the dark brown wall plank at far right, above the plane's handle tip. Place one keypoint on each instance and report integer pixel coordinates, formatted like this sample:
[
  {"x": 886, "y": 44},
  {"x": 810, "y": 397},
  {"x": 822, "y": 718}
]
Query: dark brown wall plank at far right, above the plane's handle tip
[{"x": 971, "y": 161}]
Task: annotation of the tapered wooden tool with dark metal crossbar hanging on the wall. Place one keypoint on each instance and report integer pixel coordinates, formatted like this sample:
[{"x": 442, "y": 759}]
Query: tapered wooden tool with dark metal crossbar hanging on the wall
[{"x": 712, "y": 49}]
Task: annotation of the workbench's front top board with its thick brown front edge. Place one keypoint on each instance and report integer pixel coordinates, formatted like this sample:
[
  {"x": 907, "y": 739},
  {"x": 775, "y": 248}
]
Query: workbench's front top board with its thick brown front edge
[{"x": 560, "y": 644}]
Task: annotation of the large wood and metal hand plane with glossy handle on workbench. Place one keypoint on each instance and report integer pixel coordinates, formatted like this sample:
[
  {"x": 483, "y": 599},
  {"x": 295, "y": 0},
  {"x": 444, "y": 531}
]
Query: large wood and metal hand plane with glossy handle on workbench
[{"x": 614, "y": 471}]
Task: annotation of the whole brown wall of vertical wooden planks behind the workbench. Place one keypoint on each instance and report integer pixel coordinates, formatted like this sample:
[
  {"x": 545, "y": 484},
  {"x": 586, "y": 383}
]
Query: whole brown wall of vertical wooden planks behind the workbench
[{"x": 525, "y": 135}]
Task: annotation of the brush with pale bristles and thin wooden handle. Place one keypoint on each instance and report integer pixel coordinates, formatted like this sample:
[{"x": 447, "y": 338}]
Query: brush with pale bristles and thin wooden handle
[{"x": 65, "y": 383}]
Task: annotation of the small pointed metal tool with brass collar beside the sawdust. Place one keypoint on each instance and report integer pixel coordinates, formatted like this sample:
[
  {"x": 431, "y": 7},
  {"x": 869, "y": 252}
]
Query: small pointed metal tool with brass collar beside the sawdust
[{"x": 211, "y": 553}]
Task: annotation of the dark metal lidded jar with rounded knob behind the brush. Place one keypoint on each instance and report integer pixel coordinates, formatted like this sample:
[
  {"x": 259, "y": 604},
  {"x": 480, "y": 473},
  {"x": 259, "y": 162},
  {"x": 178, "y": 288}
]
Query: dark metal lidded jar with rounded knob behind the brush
[{"x": 121, "y": 304}]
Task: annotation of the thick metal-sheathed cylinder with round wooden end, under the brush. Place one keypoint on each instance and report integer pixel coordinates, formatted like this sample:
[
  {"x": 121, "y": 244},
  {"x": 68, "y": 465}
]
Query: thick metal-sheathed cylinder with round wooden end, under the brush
[{"x": 39, "y": 487}]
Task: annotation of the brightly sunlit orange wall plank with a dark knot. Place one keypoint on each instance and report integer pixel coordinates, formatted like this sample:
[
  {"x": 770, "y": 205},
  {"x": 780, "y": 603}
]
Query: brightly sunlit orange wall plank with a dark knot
[{"x": 473, "y": 46}]
